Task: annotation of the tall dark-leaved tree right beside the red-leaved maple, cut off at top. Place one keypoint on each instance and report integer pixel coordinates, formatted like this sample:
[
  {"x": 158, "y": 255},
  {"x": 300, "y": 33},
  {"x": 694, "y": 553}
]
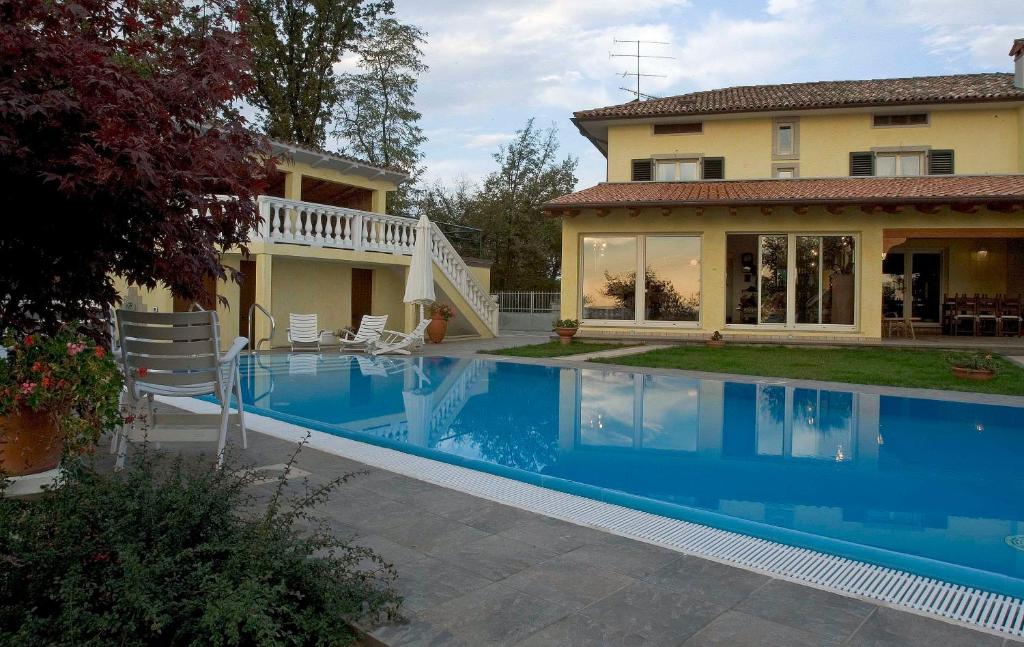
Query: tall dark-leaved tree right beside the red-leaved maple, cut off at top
[{"x": 295, "y": 46}]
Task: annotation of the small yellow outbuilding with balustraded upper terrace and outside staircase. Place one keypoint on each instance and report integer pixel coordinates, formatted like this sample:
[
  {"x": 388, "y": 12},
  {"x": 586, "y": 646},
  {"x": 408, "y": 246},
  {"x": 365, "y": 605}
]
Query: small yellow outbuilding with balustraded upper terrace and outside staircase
[{"x": 327, "y": 246}]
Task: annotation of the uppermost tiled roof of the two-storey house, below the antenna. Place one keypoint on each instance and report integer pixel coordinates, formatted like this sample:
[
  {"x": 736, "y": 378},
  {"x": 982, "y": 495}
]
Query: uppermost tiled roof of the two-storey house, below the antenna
[{"x": 821, "y": 95}]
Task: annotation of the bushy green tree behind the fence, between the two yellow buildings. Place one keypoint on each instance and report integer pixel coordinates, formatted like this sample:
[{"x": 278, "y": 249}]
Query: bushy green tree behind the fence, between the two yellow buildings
[{"x": 525, "y": 244}]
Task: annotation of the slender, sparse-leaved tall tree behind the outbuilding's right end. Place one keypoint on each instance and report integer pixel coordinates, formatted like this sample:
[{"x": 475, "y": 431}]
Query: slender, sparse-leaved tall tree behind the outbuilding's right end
[{"x": 377, "y": 119}]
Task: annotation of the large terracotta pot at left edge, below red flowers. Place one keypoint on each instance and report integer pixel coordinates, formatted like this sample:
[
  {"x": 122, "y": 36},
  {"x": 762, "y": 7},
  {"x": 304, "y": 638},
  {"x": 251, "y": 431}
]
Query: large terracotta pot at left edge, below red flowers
[{"x": 29, "y": 444}]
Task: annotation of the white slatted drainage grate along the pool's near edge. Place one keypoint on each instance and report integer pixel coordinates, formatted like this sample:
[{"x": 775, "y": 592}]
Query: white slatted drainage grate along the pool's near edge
[{"x": 964, "y": 606}]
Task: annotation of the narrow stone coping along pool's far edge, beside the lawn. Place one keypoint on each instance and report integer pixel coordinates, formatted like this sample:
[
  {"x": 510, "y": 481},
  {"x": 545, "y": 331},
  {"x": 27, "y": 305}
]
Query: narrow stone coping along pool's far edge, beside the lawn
[{"x": 895, "y": 392}]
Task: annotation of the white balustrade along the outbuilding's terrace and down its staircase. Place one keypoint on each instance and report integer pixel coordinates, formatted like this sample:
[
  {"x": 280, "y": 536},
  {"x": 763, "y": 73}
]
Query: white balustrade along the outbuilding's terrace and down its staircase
[{"x": 301, "y": 223}]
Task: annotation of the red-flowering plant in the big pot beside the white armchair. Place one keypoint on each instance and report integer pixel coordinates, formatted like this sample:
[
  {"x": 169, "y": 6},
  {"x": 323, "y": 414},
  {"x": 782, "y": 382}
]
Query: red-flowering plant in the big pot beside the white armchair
[{"x": 66, "y": 376}]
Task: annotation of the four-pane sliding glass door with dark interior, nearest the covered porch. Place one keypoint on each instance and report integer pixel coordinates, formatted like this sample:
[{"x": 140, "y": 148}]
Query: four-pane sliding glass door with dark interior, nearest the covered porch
[{"x": 795, "y": 281}]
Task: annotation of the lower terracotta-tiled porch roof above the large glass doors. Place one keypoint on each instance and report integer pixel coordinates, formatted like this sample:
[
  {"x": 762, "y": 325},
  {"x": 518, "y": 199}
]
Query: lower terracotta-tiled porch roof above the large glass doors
[{"x": 1005, "y": 193}]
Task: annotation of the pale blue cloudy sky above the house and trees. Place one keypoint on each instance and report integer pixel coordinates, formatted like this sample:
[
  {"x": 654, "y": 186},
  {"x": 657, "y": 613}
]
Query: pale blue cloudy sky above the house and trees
[{"x": 496, "y": 64}]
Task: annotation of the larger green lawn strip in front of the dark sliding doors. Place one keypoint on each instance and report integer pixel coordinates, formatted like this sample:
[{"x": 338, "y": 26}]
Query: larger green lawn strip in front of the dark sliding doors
[{"x": 887, "y": 367}]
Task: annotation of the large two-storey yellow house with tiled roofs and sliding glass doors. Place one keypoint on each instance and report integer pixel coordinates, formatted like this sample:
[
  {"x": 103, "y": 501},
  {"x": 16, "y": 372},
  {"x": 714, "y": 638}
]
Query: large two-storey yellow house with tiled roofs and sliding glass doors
[{"x": 833, "y": 209}]
